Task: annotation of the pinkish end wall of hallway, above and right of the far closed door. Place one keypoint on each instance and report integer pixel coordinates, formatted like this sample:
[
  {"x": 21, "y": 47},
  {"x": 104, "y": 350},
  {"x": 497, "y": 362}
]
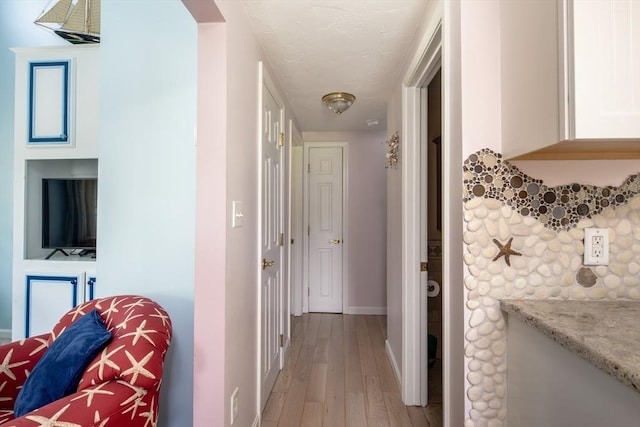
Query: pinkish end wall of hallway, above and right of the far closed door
[{"x": 367, "y": 215}]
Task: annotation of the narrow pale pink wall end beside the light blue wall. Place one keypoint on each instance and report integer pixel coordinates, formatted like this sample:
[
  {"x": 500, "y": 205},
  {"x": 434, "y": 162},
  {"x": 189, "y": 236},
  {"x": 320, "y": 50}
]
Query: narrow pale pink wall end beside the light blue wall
[{"x": 210, "y": 256}]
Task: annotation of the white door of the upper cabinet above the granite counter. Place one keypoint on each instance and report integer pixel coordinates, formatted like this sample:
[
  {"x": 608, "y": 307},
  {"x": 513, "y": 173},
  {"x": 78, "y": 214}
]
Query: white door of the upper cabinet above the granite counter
[{"x": 606, "y": 56}]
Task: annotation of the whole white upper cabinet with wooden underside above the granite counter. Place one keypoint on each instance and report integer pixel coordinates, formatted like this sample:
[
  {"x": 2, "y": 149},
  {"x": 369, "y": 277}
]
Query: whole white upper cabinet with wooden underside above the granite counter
[{"x": 570, "y": 72}]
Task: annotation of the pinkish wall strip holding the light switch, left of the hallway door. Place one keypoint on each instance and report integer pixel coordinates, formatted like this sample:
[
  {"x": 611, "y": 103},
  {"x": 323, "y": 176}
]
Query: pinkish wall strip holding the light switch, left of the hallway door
[{"x": 241, "y": 280}]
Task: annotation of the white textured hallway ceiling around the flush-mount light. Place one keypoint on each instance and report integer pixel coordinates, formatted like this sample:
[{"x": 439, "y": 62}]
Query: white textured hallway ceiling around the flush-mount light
[{"x": 319, "y": 46}]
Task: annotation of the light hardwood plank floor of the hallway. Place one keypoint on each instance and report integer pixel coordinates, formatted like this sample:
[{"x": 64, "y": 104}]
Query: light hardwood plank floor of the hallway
[{"x": 337, "y": 374}]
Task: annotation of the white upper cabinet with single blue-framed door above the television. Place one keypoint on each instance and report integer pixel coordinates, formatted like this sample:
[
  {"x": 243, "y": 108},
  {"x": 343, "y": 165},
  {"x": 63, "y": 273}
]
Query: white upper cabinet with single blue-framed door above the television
[{"x": 57, "y": 102}]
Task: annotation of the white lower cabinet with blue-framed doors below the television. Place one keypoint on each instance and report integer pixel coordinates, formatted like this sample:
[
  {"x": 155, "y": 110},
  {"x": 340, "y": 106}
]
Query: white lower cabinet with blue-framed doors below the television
[{"x": 47, "y": 297}]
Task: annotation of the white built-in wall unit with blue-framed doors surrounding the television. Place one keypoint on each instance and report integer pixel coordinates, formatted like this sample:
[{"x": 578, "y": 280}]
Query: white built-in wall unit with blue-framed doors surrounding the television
[{"x": 56, "y": 135}]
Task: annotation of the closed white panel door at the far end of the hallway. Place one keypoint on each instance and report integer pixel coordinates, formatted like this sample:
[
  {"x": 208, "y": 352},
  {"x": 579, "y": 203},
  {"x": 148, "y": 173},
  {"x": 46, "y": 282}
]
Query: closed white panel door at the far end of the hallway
[{"x": 325, "y": 171}]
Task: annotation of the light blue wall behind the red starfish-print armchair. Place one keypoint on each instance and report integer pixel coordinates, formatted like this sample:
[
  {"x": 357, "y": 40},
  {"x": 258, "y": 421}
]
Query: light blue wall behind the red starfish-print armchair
[{"x": 146, "y": 200}]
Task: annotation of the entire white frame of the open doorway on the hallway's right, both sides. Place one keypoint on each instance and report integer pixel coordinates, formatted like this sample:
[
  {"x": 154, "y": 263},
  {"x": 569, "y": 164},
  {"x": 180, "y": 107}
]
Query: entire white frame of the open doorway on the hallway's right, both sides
[{"x": 452, "y": 286}]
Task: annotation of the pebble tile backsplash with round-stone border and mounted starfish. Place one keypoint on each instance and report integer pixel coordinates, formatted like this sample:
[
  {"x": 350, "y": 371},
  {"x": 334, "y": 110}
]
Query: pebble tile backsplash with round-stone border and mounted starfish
[{"x": 524, "y": 239}]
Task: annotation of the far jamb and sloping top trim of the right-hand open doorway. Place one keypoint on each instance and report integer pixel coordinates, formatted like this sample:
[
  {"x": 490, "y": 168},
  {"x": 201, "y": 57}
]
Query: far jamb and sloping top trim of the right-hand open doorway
[{"x": 425, "y": 65}]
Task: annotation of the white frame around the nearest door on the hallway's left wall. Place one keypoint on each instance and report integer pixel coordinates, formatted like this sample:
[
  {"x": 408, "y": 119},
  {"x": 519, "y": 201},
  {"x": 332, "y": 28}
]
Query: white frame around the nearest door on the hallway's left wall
[{"x": 265, "y": 80}]
